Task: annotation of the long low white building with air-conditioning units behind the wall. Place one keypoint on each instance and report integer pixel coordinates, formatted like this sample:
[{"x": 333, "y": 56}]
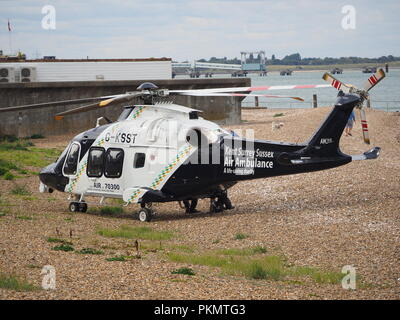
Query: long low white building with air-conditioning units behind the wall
[{"x": 53, "y": 70}]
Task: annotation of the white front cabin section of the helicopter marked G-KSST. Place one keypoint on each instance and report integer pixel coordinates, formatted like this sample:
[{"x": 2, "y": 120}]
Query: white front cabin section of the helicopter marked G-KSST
[{"x": 136, "y": 154}]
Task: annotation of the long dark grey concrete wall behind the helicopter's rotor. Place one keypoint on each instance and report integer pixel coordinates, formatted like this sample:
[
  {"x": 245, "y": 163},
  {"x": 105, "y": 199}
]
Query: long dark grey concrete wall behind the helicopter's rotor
[{"x": 223, "y": 110}]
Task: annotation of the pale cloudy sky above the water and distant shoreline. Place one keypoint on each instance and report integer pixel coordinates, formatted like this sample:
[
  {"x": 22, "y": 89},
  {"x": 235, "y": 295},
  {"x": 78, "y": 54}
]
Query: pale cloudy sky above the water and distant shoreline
[{"x": 195, "y": 29}]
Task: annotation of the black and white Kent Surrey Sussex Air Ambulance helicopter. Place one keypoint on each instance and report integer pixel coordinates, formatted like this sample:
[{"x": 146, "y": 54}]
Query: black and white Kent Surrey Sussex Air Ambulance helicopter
[{"x": 158, "y": 151}]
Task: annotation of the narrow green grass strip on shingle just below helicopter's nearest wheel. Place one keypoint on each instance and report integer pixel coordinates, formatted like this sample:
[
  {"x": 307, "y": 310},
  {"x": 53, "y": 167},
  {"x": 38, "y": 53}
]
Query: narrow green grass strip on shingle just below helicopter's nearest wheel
[{"x": 144, "y": 233}]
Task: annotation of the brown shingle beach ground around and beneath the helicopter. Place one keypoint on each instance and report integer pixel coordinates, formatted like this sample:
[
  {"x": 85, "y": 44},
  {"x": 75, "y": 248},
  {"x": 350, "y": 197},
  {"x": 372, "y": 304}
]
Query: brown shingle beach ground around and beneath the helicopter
[{"x": 344, "y": 216}]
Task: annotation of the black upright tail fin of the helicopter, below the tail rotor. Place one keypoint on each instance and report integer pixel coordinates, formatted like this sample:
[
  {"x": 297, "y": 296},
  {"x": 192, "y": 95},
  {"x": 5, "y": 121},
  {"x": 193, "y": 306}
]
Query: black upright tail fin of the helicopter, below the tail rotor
[{"x": 325, "y": 141}]
